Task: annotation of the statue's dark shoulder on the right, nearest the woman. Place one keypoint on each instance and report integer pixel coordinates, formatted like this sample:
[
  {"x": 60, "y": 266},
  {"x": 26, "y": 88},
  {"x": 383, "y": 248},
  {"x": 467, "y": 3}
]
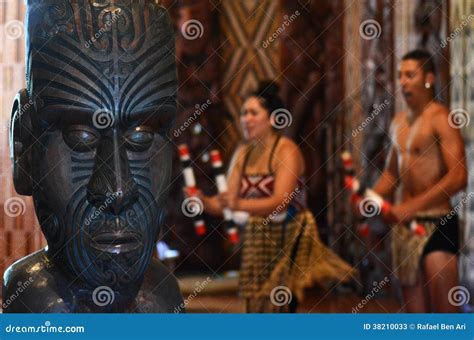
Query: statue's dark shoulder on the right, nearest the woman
[{"x": 160, "y": 290}]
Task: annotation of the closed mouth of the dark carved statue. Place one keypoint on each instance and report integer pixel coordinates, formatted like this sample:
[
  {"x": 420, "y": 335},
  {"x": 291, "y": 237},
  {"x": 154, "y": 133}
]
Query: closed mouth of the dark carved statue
[{"x": 116, "y": 242}]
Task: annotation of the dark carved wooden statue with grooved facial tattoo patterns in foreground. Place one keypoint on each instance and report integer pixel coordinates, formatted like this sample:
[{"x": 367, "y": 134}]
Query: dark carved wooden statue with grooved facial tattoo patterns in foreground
[{"x": 89, "y": 141}]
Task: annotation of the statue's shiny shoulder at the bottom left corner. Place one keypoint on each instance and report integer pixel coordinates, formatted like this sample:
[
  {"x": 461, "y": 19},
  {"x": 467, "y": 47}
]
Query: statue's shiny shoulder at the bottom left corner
[{"x": 30, "y": 286}]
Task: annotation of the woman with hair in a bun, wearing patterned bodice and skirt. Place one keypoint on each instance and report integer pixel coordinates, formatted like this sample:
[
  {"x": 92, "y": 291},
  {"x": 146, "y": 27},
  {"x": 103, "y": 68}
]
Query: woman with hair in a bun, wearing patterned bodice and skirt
[{"x": 282, "y": 253}]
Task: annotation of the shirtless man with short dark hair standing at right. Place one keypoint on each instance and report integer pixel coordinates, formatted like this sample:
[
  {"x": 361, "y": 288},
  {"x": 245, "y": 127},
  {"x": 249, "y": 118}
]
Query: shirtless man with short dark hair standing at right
[{"x": 427, "y": 160}]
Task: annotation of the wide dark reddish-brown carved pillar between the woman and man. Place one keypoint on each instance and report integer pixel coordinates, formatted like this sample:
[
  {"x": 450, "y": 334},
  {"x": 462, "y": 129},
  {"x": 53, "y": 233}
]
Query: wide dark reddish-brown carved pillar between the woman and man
[{"x": 312, "y": 88}]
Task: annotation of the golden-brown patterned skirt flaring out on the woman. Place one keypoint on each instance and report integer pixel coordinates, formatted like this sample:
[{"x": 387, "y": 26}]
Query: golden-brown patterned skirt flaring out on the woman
[{"x": 290, "y": 255}]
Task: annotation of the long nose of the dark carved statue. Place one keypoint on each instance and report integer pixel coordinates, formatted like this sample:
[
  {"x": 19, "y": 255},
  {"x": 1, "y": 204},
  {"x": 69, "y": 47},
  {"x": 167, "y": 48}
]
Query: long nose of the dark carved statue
[{"x": 111, "y": 187}]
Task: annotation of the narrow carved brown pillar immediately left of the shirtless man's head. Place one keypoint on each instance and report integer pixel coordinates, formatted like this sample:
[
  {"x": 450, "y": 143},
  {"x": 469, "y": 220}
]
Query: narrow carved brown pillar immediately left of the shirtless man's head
[{"x": 378, "y": 101}]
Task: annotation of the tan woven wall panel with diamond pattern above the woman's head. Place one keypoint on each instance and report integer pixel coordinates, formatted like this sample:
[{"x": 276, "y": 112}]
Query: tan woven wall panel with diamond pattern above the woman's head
[{"x": 245, "y": 26}]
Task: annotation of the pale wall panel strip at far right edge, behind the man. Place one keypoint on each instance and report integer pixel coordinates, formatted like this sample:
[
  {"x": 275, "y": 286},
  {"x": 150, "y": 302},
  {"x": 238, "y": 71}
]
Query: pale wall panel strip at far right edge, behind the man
[{"x": 459, "y": 39}]
